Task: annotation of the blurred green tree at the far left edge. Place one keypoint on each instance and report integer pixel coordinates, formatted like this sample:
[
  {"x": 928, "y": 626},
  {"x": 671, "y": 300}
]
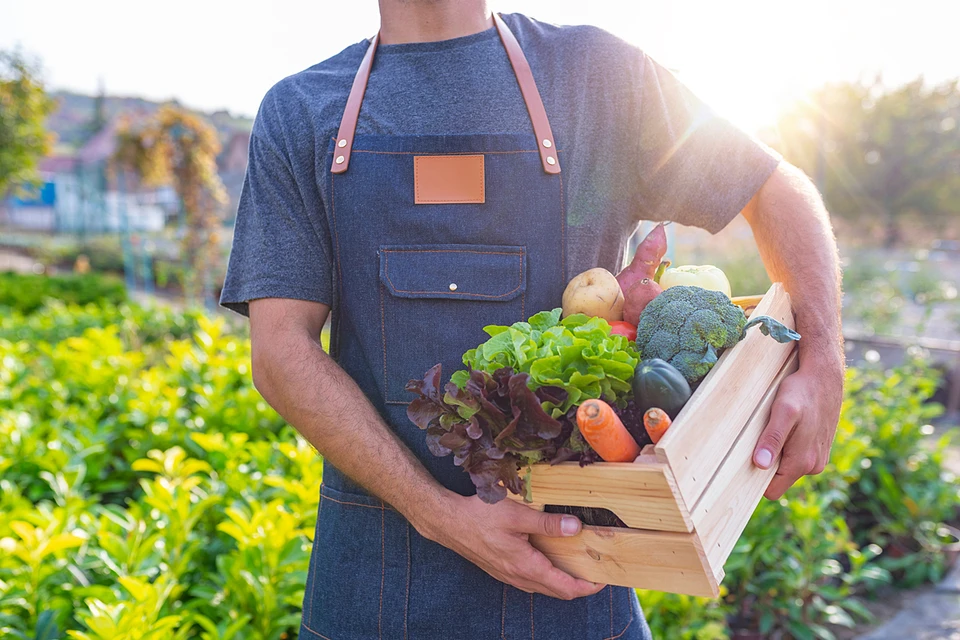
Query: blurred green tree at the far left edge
[{"x": 24, "y": 106}]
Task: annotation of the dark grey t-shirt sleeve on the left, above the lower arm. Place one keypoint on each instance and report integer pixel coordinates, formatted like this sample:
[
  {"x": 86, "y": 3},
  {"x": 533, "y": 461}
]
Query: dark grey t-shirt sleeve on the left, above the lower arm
[{"x": 281, "y": 246}]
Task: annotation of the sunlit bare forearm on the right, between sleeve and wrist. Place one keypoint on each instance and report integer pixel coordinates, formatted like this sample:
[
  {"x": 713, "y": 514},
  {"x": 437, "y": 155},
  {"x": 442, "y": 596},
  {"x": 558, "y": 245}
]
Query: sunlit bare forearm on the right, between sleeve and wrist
[{"x": 792, "y": 231}]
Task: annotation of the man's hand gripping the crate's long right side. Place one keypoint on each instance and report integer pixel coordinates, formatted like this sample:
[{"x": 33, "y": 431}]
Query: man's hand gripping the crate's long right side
[{"x": 802, "y": 424}]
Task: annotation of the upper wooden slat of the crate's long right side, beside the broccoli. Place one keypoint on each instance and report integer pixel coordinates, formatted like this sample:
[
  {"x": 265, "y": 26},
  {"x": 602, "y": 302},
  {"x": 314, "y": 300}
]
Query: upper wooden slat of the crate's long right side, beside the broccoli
[{"x": 706, "y": 428}]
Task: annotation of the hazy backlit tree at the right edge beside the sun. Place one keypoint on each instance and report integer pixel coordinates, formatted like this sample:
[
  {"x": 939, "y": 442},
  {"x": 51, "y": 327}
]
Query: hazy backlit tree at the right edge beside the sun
[{"x": 880, "y": 156}]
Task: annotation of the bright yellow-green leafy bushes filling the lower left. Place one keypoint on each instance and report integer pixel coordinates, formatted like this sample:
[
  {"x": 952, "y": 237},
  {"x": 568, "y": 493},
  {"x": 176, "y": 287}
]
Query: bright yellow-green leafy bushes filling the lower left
[{"x": 147, "y": 490}]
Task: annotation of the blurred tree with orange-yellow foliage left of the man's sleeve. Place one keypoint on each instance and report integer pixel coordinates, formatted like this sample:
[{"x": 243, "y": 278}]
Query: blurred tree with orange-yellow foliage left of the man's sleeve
[{"x": 178, "y": 148}]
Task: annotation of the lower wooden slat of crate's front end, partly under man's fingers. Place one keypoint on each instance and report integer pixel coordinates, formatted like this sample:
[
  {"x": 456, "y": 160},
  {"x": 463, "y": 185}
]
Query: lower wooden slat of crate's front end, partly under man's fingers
[{"x": 664, "y": 561}]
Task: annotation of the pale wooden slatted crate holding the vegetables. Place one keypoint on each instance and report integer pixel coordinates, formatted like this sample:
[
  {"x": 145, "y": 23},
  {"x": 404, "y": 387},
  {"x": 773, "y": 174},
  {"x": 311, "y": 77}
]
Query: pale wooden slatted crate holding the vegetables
[{"x": 687, "y": 499}]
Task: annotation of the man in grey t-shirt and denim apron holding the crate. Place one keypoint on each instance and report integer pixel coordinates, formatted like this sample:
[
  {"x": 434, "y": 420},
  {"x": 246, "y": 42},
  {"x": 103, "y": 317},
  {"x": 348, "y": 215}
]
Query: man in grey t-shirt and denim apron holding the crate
[{"x": 452, "y": 173}]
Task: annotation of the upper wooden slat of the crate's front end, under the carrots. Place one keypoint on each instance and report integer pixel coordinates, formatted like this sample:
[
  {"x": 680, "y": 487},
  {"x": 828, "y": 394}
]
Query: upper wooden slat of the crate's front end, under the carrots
[{"x": 643, "y": 495}]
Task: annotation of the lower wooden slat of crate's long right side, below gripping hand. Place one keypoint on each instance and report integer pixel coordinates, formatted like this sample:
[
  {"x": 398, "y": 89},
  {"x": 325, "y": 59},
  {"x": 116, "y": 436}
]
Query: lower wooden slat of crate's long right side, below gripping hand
[{"x": 723, "y": 511}]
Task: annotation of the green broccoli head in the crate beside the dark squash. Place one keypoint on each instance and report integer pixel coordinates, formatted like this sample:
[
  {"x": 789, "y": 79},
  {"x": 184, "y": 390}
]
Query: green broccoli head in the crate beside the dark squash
[{"x": 688, "y": 327}]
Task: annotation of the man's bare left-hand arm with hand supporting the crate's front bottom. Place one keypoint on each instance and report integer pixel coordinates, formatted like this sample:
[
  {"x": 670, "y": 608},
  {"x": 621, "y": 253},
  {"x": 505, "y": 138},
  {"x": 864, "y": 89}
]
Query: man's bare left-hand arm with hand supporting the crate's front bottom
[{"x": 306, "y": 387}]
